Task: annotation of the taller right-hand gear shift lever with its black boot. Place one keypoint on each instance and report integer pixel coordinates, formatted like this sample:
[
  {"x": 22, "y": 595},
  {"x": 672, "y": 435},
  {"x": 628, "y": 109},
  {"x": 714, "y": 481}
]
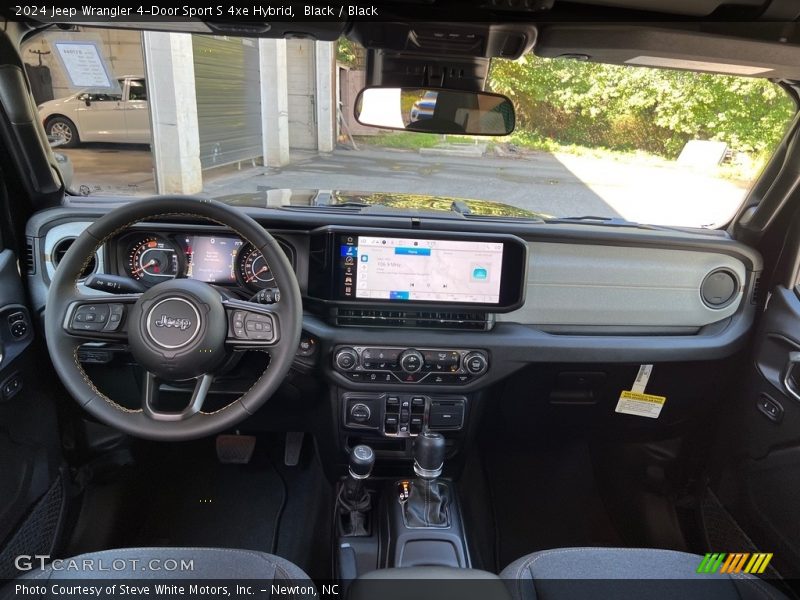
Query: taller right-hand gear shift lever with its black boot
[{"x": 428, "y": 500}]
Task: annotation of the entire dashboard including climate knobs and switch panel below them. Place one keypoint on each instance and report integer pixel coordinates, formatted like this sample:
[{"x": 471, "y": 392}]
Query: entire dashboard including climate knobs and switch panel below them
[{"x": 408, "y": 321}]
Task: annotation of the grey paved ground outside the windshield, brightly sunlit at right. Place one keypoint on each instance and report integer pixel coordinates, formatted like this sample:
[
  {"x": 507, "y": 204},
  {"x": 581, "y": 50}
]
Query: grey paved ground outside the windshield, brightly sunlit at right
[{"x": 558, "y": 184}]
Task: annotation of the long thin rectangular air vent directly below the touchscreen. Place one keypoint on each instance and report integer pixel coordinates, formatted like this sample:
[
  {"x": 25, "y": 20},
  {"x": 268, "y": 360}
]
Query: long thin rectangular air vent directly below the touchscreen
[{"x": 362, "y": 317}]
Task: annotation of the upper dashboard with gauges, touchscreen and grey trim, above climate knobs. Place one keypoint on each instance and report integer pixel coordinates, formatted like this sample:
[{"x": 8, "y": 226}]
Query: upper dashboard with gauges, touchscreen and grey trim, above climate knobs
[{"x": 567, "y": 292}]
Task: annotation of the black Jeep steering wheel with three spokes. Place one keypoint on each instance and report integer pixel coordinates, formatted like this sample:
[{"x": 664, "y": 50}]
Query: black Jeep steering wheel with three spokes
[{"x": 177, "y": 330}]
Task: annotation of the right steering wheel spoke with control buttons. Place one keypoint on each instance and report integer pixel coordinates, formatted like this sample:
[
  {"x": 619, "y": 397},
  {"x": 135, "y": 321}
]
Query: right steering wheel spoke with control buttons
[{"x": 252, "y": 326}]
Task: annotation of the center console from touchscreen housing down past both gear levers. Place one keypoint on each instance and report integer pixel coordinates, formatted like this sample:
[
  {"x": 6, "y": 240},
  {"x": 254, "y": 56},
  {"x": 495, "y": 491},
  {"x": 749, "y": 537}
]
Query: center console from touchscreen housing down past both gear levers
[{"x": 396, "y": 402}]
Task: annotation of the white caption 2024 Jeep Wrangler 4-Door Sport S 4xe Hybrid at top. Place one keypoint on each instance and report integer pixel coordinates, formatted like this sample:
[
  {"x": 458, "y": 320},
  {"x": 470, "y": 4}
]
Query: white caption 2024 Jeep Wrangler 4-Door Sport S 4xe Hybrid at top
[{"x": 193, "y": 11}]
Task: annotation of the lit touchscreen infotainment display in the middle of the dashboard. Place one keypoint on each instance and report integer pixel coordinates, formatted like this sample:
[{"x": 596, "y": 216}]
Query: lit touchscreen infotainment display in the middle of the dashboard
[{"x": 425, "y": 270}]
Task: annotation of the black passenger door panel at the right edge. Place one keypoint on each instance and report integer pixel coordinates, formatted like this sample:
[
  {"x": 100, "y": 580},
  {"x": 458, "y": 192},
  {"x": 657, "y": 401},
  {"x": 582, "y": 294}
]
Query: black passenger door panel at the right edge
[{"x": 757, "y": 477}]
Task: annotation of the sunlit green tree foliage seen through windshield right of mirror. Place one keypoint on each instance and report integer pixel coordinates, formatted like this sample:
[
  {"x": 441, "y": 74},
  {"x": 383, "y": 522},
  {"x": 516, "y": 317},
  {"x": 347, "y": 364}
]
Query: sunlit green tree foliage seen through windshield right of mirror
[{"x": 637, "y": 108}]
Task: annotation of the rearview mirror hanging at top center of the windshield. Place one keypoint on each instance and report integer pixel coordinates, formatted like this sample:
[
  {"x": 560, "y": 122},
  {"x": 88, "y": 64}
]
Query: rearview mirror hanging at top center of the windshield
[{"x": 435, "y": 110}]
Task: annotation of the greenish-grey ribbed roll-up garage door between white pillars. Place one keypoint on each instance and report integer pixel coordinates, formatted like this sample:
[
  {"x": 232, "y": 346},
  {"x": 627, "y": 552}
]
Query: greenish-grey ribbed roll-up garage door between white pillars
[{"x": 227, "y": 83}]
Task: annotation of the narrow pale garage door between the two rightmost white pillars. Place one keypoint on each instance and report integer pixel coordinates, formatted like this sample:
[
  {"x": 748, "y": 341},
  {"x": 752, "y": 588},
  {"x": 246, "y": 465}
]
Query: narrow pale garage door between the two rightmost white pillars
[{"x": 302, "y": 85}]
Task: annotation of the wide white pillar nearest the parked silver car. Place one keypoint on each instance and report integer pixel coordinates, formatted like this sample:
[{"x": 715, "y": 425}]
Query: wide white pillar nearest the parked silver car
[{"x": 169, "y": 65}]
